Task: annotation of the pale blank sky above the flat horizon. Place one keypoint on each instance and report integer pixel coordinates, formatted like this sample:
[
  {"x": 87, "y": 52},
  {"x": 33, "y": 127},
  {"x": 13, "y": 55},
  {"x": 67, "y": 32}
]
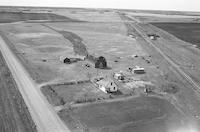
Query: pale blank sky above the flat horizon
[{"x": 178, "y": 5}]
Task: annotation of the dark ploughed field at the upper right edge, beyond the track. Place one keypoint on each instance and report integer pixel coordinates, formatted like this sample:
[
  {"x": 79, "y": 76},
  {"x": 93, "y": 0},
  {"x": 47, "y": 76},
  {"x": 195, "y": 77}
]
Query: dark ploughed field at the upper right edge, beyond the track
[{"x": 188, "y": 32}]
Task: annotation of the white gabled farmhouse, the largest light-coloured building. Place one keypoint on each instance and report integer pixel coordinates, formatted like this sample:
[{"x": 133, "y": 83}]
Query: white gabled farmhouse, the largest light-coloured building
[{"x": 107, "y": 86}]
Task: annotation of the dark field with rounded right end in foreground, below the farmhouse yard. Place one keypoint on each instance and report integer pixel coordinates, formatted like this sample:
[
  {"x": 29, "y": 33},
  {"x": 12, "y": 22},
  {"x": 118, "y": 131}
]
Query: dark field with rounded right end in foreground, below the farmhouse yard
[{"x": 136, "y": 115}]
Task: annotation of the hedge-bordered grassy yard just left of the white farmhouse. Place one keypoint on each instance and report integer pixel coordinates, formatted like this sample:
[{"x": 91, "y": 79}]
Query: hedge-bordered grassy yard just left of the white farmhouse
[{"x": 61, "y": 94}]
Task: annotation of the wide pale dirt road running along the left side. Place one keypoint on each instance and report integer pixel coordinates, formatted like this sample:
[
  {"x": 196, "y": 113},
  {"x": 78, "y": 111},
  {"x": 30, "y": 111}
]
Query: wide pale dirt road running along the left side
[{"x": 43, "y": 114}]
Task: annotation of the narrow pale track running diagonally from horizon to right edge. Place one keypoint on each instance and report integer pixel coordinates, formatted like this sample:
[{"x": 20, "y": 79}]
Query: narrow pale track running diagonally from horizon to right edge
[{"x": 139, "y": 29}]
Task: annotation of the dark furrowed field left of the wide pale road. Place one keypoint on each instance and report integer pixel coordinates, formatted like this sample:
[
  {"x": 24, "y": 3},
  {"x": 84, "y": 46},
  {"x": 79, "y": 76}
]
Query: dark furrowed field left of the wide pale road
[{"x": 14, "y": 114}]
